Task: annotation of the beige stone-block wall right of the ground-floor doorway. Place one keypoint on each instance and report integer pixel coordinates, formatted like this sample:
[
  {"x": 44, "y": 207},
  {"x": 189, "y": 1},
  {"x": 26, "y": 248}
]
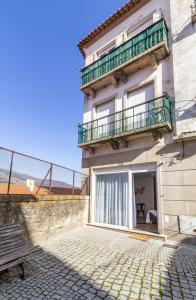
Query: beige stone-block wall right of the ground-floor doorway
[{"x": 178, "y": 188}]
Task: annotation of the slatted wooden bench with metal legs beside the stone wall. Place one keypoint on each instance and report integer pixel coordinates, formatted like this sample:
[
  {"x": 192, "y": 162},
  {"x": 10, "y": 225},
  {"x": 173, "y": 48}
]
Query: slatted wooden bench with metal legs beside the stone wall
[{"x": 14, "y": 248}]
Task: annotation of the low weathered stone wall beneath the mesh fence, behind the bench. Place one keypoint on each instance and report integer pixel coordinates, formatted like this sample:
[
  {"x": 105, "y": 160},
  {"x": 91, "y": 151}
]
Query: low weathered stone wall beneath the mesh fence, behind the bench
[{"x": 44, "y": 216}]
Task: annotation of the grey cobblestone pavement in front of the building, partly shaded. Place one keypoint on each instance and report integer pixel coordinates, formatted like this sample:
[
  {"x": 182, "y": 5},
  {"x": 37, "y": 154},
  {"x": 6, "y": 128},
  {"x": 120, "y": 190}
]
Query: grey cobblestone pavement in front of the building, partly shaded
[{"x": 91, "y": 263}]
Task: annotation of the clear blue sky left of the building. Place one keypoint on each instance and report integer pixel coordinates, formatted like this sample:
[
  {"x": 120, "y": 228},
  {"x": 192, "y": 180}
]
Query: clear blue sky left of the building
[{"x": 40, "y": 99}]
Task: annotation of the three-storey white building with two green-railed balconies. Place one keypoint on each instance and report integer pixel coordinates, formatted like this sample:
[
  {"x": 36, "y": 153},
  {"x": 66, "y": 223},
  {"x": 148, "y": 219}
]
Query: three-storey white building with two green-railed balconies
[{"x": 139, "y": 127}]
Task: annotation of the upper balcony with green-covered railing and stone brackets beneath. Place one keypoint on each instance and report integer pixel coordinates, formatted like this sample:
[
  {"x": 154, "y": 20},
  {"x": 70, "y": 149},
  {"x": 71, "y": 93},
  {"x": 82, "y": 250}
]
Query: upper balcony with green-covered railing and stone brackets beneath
[{"x": 147, "y": 47}]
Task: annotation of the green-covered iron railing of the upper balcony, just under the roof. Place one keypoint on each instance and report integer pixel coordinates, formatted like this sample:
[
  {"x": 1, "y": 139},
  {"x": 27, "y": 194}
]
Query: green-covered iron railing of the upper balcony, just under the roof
[{"x": 143, "y": 41}]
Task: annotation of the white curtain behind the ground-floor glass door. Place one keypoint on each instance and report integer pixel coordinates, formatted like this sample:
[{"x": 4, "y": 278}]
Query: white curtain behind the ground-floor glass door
[{"x": 111, "y": 201}]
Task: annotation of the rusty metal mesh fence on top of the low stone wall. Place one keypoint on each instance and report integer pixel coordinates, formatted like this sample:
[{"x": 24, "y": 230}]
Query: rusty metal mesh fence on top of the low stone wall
[{"x": 24, "y": 174}]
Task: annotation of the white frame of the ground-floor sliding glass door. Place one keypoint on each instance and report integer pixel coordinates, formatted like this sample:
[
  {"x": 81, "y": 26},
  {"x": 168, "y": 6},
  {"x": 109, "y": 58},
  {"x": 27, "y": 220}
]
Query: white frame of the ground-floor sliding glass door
[{"x": 131, "y": 170}]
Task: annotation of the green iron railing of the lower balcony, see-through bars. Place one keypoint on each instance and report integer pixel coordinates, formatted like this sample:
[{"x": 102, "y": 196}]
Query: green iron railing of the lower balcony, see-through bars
[{"x": 157, "y": 111}]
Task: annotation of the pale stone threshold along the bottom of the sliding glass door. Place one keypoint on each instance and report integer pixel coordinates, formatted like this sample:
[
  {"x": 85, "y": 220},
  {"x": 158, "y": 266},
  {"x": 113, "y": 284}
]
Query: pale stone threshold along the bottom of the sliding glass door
[{"x": 127, "y": 230}]
